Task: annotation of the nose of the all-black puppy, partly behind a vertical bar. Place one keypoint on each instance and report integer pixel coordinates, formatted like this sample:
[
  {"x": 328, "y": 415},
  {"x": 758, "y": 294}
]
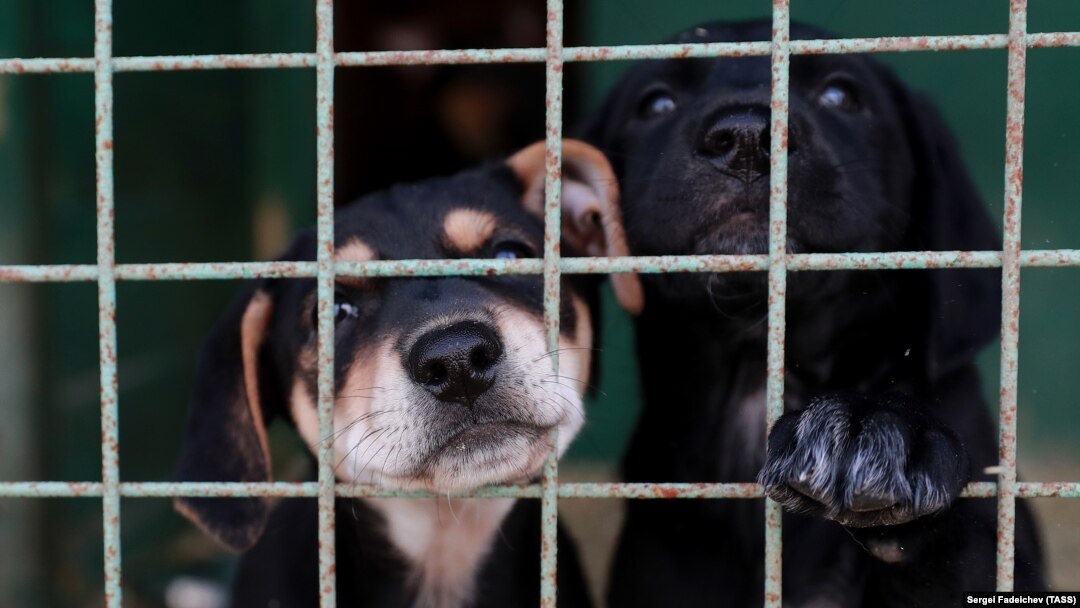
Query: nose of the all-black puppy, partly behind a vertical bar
[{"x": 739, "y": 143}]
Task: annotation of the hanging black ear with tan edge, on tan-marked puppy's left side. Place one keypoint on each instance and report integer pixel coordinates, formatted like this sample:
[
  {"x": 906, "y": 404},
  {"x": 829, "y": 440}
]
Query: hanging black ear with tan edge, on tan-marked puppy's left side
[{"x": 226, "y": 438}]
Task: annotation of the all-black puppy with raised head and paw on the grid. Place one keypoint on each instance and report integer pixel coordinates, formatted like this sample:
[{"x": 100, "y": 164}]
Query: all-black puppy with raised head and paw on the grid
[{"x": 885, "y": 421}]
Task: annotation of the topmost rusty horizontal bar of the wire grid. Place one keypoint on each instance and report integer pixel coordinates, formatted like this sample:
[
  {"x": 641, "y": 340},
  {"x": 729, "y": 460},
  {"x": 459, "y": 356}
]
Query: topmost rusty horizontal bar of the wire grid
[{"x": 628, "y": 52}]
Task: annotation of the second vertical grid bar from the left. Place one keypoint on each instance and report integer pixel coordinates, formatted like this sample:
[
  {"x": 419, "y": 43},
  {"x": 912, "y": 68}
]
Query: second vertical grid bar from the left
[{"x": 325, "y": 256}]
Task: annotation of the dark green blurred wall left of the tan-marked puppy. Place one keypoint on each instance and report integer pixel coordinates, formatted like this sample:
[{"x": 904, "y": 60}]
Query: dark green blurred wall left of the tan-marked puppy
[{"x": 209, "y": 167}]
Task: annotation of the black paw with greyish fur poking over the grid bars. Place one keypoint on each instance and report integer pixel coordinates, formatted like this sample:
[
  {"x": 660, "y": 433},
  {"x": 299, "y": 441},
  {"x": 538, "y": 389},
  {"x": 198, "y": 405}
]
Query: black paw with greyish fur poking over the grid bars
[{"x": 863, "y": 463}]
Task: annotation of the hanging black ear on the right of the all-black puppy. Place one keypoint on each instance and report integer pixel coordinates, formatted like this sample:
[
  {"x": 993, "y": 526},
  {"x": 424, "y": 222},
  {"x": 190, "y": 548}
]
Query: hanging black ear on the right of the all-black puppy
[{"x": 948, "y": 214}]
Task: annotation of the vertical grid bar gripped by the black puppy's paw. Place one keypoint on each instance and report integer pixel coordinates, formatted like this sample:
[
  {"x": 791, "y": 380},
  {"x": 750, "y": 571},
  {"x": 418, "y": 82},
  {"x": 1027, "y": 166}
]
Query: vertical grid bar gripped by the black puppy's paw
[{"x": 778, "y": 279}]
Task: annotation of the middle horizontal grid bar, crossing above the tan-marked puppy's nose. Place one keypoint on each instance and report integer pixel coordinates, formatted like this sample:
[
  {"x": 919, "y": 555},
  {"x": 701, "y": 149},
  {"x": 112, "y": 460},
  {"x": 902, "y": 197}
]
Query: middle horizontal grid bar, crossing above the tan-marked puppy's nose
[{"x": 888, "y": 261}]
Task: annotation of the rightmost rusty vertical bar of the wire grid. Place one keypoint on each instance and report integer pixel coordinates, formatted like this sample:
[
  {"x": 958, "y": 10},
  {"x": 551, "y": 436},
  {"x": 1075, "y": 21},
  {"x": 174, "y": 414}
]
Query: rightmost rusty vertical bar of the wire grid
[{"x": 1010, "y": 293}]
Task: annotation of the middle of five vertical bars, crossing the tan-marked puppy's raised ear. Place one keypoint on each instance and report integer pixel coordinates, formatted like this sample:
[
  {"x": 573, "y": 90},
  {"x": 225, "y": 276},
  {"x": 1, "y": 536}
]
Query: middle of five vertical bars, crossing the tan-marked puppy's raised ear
[{"x": 553, "y": 219}]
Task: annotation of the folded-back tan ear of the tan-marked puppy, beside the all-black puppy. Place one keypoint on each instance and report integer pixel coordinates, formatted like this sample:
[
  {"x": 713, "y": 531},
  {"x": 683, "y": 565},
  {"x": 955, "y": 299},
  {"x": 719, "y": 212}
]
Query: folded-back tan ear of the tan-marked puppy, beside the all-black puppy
[{"x": 592, "y": 221}]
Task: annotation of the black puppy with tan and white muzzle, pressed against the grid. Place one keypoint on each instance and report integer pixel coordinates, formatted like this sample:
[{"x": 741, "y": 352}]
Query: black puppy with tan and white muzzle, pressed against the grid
[{"x": 441, "y": 384}]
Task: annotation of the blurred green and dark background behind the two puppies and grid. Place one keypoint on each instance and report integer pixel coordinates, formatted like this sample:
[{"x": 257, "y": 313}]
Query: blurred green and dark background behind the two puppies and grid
[{"x": 220, "y": 166}]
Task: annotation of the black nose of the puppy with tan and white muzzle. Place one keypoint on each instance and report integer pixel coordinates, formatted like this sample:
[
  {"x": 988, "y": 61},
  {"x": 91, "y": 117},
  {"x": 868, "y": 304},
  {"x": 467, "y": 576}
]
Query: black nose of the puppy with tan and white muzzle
[{"x": 457, "y": 363}]
